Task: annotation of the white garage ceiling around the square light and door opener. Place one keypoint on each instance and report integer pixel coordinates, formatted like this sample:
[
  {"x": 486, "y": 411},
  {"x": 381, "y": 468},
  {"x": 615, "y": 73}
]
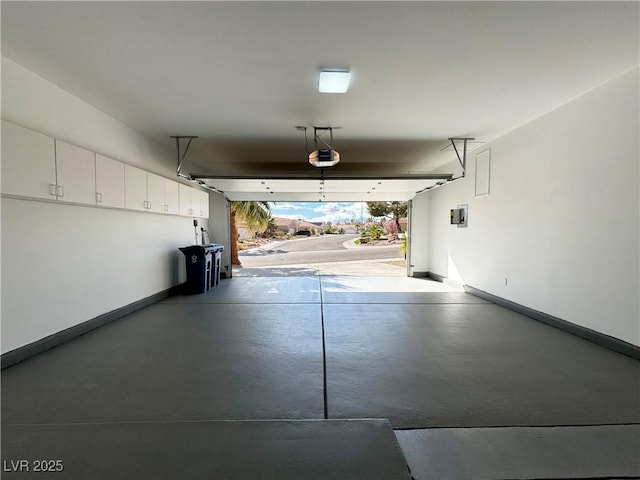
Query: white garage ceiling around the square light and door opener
[{"x": 242, "y": 75}]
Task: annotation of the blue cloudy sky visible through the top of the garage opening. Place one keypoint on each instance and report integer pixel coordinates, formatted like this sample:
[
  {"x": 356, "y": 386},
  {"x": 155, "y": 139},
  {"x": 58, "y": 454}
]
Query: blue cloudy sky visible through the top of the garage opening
[{"x": 334, "y": 212}]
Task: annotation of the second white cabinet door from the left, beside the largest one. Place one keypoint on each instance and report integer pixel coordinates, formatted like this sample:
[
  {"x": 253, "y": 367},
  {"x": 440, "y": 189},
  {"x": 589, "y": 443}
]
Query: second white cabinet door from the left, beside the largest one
[{"x": 76, "y": 174}]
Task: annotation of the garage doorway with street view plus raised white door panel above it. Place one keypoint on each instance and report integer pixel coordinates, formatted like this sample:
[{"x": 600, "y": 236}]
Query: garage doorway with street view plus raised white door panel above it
[{"x": 333, "y": 224}]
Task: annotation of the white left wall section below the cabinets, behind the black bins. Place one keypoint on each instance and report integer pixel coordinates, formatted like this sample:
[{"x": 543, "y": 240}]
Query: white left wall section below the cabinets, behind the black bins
[{"x": 65, "y": 264}]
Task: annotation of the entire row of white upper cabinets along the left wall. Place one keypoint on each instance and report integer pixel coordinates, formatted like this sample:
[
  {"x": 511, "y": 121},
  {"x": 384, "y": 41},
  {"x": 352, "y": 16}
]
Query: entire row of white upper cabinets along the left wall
[{"x": 38, "y": 166}]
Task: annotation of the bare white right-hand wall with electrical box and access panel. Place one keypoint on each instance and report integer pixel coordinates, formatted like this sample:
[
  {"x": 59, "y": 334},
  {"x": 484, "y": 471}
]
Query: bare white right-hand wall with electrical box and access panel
[{"x": 562, "y": 220}]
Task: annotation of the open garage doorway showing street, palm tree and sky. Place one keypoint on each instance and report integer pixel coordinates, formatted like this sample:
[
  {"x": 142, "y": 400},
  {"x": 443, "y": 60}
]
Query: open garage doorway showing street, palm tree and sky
[{"x": 288, "y": 238}]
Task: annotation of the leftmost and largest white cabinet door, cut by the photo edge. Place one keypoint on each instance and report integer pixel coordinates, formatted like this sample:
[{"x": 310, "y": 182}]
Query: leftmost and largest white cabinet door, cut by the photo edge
[{"x": 28, "y": 162}]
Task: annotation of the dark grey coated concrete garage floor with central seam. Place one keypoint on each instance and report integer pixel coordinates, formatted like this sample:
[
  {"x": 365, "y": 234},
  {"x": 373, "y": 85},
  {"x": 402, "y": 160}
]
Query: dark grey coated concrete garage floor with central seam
[{"x": 238, "y": 382}]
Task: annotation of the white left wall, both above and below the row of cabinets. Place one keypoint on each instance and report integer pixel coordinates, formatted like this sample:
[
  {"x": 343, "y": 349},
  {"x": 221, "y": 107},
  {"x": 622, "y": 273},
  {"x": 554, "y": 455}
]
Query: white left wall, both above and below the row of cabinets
[{"x": 65, "y": 264}]
